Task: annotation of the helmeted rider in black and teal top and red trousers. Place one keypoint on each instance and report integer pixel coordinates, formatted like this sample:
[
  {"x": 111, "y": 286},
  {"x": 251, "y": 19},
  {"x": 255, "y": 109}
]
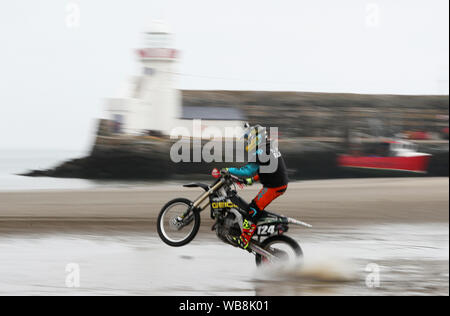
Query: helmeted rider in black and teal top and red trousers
[{"x": 273, "y": 178}]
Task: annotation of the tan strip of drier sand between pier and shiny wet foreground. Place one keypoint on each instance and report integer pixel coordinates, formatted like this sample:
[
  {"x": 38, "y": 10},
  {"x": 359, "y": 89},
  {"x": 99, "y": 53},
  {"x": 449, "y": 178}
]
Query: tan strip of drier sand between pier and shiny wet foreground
[{"x": 322, "y": 202}]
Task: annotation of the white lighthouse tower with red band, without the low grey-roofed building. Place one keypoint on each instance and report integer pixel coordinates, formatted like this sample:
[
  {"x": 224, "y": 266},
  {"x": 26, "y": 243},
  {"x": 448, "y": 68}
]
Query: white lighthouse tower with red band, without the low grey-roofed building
[{"x": 151, "y": 102}]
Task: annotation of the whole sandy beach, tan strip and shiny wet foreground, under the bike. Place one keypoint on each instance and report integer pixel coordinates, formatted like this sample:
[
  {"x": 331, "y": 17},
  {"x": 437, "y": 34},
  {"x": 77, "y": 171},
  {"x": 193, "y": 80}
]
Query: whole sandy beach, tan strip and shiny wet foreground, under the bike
[{"x": 398, "y": 226}]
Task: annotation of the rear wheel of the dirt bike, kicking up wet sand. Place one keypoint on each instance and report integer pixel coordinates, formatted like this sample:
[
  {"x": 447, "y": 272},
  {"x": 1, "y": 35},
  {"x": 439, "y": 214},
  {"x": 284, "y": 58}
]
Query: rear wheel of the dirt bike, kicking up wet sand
[{"x": 283, "y": 247}]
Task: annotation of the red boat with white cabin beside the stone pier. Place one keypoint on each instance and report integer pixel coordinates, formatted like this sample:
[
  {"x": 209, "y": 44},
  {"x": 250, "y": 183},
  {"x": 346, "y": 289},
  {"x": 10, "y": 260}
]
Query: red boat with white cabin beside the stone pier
[{"x": 399, "y": 156}]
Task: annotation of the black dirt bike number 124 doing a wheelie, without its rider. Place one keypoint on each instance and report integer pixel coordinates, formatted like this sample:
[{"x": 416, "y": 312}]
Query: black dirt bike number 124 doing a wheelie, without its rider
[{"x": 179, "y": 221}]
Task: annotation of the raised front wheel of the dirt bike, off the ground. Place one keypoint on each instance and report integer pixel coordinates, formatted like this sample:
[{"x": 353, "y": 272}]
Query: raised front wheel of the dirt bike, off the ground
[{"x": 178, "y": 223}]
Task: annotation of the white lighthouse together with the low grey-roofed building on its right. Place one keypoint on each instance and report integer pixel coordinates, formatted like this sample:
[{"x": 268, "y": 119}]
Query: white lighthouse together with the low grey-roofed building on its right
[{"x": 150, "y": 104}]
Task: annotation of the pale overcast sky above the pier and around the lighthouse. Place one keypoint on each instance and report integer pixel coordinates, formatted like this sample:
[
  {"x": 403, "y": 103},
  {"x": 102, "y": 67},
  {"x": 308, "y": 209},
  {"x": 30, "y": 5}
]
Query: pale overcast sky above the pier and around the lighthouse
[{"x": 60, "y": 59}]
